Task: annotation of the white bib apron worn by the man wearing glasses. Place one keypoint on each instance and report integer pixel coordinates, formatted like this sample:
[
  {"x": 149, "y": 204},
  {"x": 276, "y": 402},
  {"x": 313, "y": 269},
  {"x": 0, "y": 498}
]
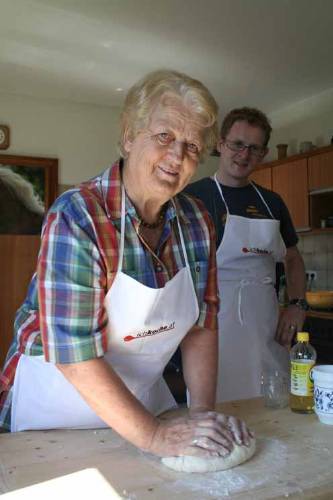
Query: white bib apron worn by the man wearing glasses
[{"x": 249, "y": 311}]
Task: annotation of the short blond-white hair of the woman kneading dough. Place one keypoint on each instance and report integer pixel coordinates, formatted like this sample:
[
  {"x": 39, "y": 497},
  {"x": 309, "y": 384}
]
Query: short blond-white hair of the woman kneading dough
[{"x": 146, "y": 93}]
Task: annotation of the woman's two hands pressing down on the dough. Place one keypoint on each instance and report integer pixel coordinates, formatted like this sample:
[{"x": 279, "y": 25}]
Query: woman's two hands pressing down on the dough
[{"x": 206, "y": 434}]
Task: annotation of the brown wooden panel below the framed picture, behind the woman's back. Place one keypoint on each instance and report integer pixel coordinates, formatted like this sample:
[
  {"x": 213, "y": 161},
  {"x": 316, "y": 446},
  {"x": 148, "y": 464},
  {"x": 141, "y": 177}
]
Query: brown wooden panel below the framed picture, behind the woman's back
[{"x": 17, "y": 265}]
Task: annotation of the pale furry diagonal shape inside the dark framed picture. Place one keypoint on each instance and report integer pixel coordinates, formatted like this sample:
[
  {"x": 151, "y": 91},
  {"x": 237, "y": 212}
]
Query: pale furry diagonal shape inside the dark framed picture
[{"x": 22, "y": 189}]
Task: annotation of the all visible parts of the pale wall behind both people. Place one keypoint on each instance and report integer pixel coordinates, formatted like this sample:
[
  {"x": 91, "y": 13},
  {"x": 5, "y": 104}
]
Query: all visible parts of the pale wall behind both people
[{"x": 84, "y": 137}]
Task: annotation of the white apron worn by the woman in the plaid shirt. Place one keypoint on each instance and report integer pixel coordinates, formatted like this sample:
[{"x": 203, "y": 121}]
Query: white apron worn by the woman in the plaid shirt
[{"x": 145, "y": 326}]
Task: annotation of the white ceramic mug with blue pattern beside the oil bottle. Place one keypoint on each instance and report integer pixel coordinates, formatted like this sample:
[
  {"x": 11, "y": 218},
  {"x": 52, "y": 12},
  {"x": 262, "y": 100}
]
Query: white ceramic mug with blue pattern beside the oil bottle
[{"x": 322, "y": 376}]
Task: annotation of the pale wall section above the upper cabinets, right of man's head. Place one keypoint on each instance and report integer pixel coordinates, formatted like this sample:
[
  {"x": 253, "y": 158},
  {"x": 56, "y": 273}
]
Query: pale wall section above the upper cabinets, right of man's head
[{"x": 307, "y": 120}]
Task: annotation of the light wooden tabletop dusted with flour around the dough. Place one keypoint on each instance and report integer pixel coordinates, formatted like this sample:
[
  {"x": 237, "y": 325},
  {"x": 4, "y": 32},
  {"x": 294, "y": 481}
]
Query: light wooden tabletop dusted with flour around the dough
[{"x": 294, "y": 459}]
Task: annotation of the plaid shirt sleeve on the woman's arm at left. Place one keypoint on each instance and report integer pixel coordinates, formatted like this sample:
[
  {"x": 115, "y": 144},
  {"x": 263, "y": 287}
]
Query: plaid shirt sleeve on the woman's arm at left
[{"x": 71, "y": 288}]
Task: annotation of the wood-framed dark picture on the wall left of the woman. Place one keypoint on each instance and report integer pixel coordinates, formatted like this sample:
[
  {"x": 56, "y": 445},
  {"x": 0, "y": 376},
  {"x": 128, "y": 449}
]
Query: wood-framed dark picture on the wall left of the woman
[{"x": 28, "y": 187}]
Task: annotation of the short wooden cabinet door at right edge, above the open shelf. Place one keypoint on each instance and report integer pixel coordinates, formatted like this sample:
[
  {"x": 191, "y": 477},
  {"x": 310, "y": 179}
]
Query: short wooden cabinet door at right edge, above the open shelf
[{"x": 321, "y": 171}]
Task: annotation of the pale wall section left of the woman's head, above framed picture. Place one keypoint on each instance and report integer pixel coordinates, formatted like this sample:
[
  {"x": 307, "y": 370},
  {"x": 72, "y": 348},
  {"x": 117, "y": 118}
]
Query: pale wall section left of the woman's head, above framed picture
[{"x": 83, "y": 137}]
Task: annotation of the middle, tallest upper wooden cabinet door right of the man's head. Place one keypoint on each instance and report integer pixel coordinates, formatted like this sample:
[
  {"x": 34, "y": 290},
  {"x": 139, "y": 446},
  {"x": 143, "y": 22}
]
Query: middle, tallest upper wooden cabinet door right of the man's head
[{"x": 290, "y": 181}]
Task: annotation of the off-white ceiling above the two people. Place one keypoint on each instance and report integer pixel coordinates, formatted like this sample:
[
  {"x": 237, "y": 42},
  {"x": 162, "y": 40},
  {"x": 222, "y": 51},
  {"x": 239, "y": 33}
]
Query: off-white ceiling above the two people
[{"x": 266, "y": 53}]
